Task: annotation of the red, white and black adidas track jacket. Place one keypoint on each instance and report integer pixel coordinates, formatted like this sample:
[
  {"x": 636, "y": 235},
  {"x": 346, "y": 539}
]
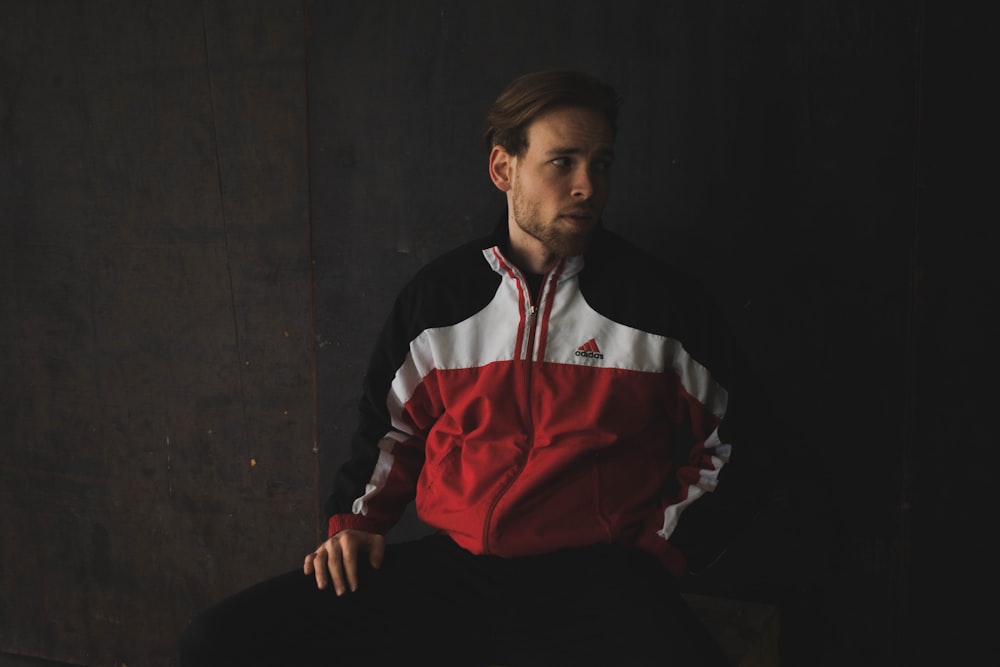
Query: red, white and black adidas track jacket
[{"x": 594, "y": 413}]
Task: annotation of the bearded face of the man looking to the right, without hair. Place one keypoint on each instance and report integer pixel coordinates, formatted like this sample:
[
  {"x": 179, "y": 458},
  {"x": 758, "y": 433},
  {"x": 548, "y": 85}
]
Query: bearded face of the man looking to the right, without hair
[{"x": 560, "y": 183}]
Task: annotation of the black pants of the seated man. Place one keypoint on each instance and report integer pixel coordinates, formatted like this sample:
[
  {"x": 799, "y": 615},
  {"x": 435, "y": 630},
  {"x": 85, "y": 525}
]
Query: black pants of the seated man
[{"x": 434, "y": 603}]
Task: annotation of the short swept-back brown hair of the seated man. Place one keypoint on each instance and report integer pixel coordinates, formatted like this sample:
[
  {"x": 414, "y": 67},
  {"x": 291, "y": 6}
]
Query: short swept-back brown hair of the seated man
[{"x": 529, "y": 95}]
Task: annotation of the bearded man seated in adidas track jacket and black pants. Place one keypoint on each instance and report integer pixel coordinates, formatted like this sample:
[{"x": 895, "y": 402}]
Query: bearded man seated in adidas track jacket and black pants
[{"x": 564, "y": 410}]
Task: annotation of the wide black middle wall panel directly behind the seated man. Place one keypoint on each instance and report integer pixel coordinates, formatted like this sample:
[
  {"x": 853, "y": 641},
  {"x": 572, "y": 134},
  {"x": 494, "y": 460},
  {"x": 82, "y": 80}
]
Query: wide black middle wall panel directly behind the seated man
[{"x": 771, "y": 148}]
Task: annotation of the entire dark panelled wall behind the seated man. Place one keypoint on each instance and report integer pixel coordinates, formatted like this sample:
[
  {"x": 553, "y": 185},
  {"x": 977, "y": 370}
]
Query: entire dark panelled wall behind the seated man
[{"x": 207, "y": 207}]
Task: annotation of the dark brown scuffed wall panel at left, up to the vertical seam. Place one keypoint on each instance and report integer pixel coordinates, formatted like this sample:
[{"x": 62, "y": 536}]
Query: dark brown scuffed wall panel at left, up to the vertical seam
[{"x": 156, "y": 403}]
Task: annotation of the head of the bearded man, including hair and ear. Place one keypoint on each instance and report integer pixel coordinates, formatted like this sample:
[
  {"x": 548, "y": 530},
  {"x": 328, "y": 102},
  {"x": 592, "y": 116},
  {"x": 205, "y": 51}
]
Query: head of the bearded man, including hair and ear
[{"x": 551, "y": 143}]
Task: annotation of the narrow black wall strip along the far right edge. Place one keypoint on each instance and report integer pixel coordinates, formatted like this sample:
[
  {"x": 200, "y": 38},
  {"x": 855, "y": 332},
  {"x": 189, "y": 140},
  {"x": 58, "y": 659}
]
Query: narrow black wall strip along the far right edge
[{"x": 948, "y": 562}]
